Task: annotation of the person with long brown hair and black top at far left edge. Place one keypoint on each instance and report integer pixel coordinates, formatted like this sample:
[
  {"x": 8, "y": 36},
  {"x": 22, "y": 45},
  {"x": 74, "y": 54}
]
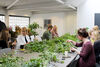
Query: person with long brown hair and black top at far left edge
[{"x": 4, "y": 39}]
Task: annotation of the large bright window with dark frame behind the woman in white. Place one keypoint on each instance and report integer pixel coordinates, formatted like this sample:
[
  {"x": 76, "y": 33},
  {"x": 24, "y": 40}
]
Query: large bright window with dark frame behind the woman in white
[{"x": 18, "y": 21}]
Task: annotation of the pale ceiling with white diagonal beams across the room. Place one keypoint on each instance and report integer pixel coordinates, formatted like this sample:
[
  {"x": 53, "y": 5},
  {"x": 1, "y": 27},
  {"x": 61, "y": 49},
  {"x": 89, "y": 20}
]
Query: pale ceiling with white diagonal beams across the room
[{"x": 40, "y": 6}]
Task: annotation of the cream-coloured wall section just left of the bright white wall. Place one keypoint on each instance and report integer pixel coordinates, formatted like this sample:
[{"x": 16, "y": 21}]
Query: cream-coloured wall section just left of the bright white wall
[{"x": 70, "y": 22}]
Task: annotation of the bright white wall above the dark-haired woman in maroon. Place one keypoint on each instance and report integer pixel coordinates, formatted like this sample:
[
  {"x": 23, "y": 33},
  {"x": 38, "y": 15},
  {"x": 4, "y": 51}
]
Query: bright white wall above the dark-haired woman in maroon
[{"x": 86, "y": 12}]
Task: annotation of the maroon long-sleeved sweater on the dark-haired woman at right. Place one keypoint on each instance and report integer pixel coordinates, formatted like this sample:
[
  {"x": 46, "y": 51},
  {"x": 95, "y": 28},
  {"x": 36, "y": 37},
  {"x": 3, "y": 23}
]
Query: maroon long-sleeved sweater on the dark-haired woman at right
[{"x": 87, "y": 56}]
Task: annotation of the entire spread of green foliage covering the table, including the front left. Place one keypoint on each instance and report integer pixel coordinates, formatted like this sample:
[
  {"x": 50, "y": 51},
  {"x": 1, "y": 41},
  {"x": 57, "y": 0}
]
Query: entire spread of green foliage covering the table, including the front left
[{"x": 48, "y": 50}]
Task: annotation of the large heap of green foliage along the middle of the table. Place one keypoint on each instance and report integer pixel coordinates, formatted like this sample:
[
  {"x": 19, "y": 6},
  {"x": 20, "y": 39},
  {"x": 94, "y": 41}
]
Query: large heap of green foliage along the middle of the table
[{"x": 58, "y": 45}]
